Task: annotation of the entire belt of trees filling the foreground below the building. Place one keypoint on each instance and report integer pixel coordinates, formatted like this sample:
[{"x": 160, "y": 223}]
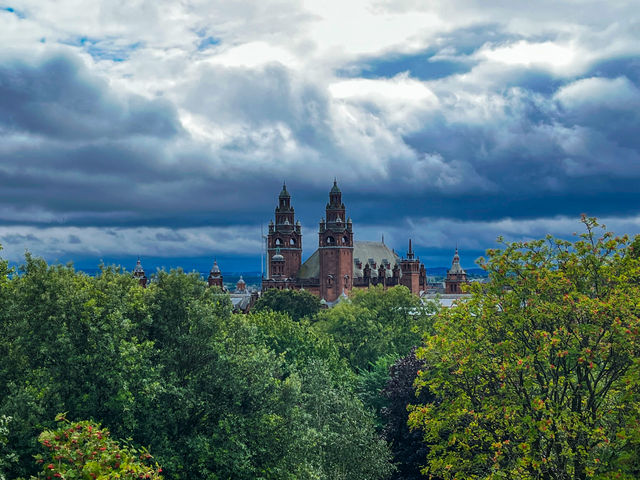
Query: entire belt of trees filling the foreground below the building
[{"x": 535, "y": 376}]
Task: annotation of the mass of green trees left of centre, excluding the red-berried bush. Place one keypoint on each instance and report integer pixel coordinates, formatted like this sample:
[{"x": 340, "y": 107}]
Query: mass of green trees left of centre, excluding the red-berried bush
[{"x": 214, "y": 395}]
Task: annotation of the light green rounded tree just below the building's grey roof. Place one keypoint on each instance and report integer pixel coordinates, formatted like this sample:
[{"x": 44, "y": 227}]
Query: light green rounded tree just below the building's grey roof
[{"x": 376, "y": 322}]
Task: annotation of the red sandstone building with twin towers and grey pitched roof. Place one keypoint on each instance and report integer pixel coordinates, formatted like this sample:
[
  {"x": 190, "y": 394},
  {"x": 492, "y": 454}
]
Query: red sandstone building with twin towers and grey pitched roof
[{"x": 340, "y": 264}]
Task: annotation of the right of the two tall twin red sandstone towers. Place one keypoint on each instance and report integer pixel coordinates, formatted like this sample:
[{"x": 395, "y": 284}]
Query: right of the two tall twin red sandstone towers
[{"x": 335, "y": 248}]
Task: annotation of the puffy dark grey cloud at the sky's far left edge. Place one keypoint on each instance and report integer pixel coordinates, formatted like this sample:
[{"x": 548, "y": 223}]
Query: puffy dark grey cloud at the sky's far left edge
[{"x": 57, "y": 97}]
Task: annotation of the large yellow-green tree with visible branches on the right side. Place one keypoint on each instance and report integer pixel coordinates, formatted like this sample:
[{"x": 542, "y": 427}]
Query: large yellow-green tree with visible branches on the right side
[{"x": 536, "y": 376}]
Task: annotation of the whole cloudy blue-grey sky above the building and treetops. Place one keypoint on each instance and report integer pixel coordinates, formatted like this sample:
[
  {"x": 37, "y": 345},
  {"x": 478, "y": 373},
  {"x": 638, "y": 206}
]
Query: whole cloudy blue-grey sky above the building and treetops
[{"x": 166, "y": 129}]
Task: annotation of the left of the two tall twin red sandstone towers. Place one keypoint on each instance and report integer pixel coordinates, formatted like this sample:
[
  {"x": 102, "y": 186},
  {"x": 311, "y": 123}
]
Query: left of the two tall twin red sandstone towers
[{"x": 284, "y": 241}]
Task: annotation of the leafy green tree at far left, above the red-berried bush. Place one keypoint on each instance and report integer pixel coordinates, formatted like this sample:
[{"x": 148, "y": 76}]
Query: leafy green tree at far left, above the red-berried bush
[{"x": 69, "y": 343}]
